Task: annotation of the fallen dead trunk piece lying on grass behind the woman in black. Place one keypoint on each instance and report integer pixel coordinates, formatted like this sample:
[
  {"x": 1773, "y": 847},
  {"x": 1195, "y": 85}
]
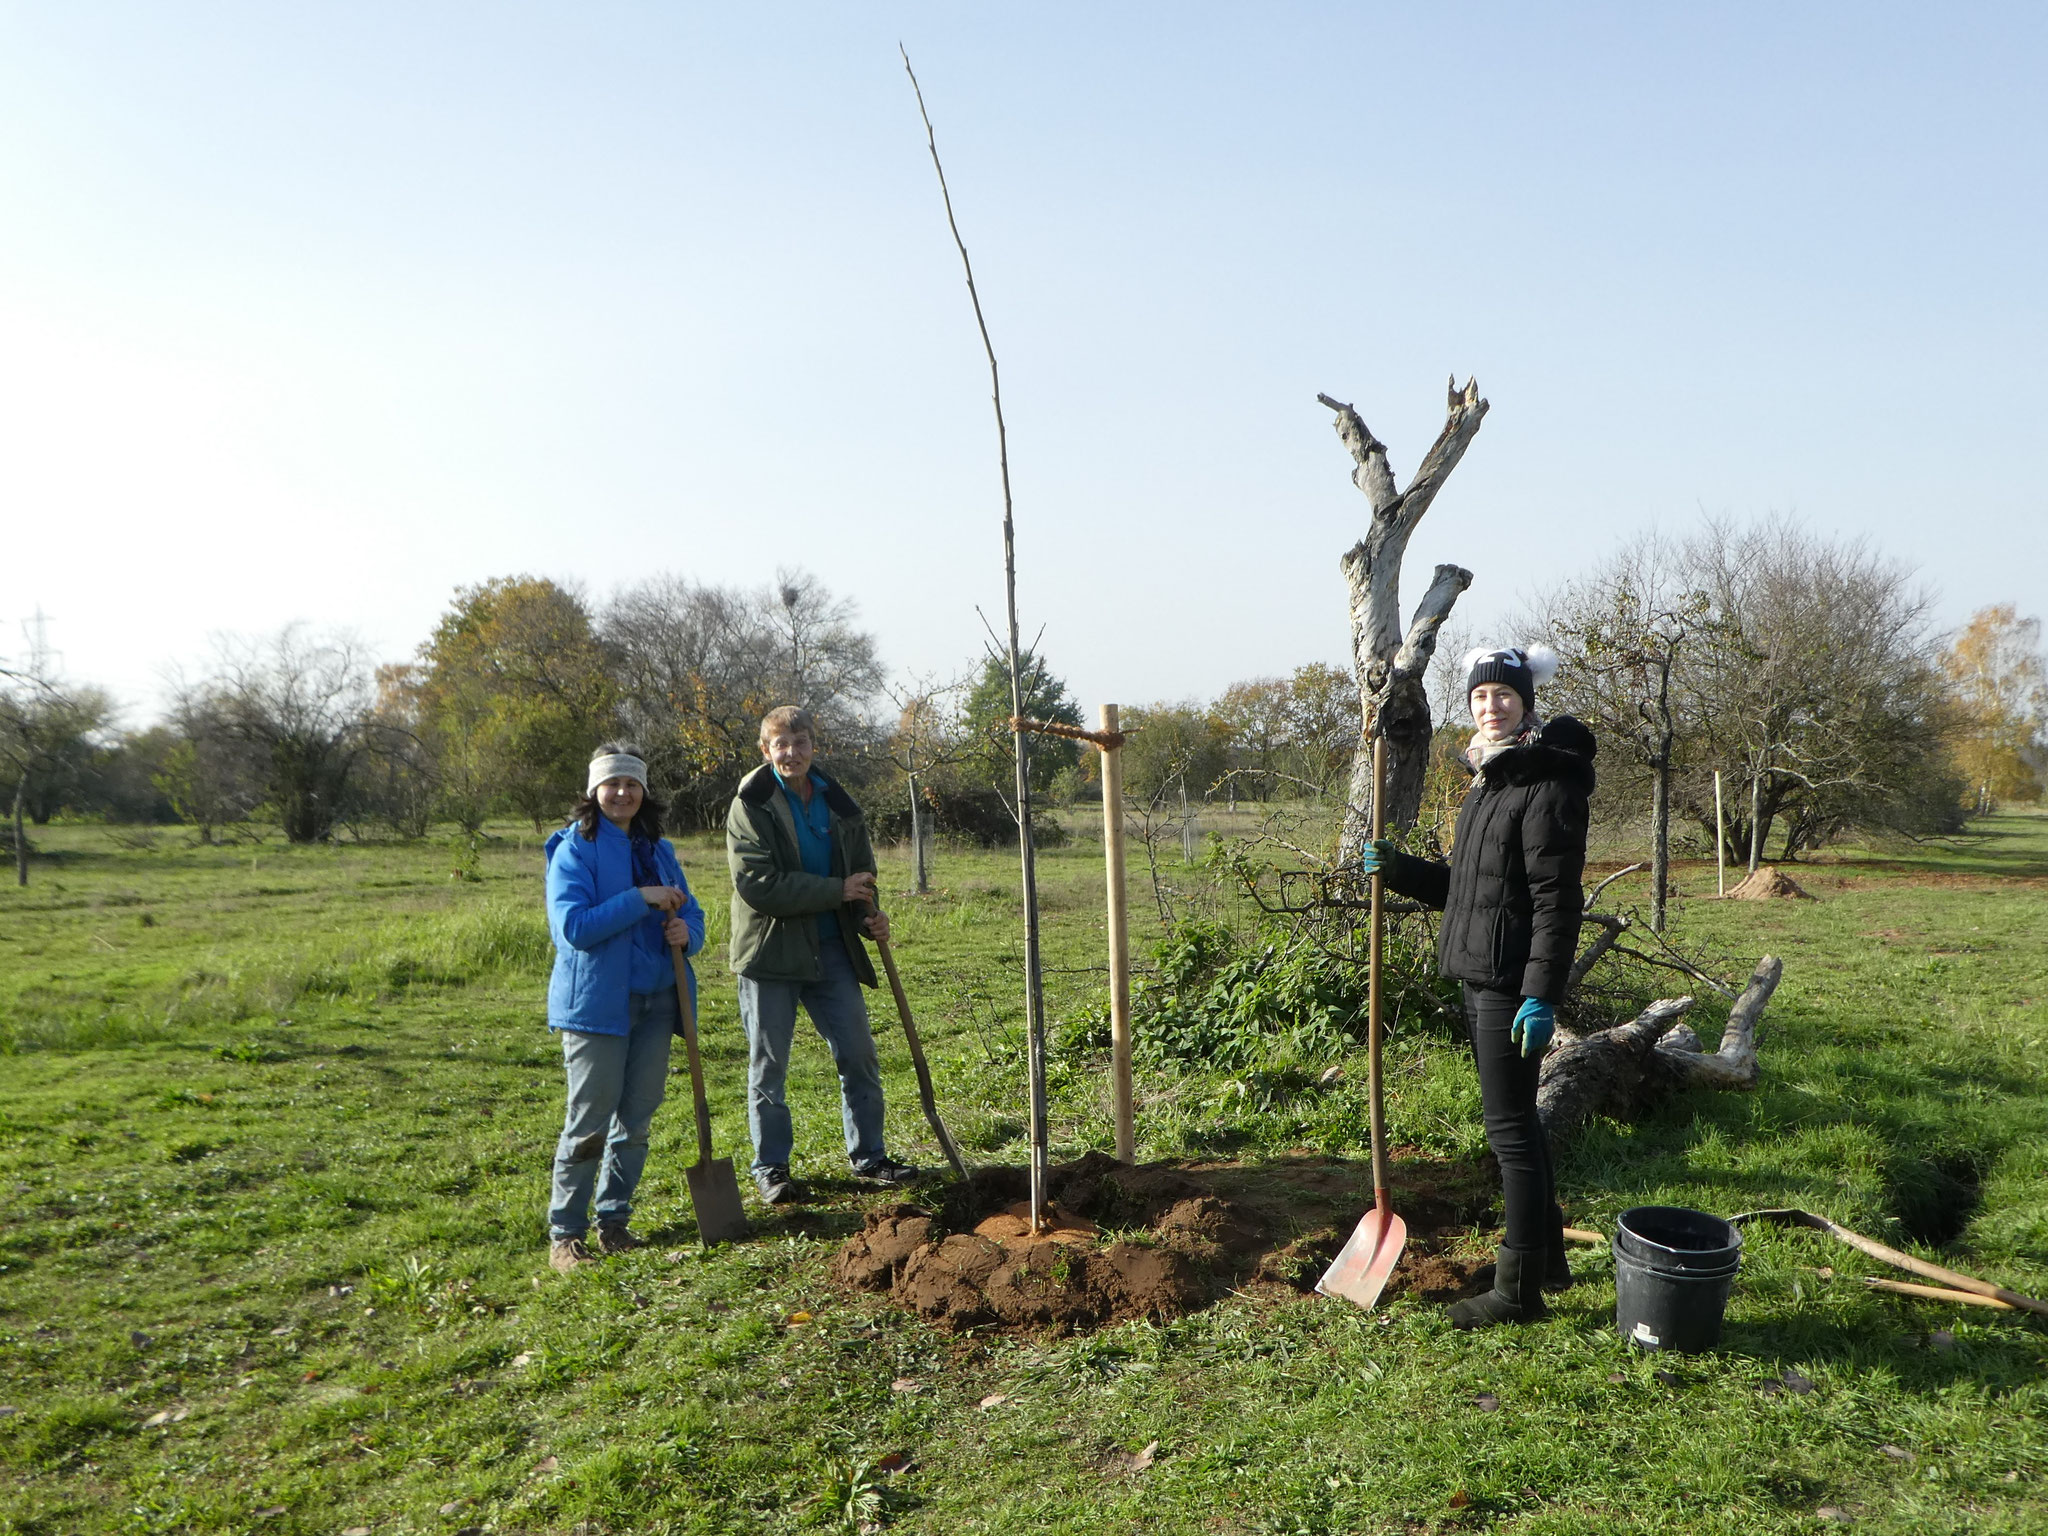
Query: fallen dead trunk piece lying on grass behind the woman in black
[{"x": 1627, "y": 1070}]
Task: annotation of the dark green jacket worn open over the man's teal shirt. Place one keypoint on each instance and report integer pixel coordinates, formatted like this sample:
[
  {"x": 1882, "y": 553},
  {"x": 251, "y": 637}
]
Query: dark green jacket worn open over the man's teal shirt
[{"x": 775, "y": 902}]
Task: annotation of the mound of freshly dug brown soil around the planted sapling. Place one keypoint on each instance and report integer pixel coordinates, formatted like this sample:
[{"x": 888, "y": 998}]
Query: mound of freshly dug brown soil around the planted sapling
[{"x": 1158, "y": 1240}]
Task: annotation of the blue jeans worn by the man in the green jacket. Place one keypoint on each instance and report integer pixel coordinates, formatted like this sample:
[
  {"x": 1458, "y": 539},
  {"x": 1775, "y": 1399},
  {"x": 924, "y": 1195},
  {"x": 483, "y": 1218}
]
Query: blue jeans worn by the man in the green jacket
[{"x": 839, "y": 1011}]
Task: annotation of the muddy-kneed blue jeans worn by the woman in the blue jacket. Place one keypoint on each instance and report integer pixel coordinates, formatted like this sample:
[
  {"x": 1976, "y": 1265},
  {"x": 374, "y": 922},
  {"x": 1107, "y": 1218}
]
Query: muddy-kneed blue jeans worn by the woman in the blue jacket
[{"x": 615, "y": 1086}]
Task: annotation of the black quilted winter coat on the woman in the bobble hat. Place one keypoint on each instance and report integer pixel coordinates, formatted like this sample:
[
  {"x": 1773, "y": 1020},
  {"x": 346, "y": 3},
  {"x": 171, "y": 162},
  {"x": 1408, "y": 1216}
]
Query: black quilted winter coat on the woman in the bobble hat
[{"x": 1510, "y": 894}]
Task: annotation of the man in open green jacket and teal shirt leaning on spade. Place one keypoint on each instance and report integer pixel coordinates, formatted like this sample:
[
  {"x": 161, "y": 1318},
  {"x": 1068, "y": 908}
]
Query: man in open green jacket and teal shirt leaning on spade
[{"x": 804, "y": 892}]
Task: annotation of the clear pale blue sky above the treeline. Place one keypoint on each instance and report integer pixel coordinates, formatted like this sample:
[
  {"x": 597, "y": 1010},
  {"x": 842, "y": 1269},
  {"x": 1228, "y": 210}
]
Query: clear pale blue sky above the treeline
[{"x": 318, "y": 312}]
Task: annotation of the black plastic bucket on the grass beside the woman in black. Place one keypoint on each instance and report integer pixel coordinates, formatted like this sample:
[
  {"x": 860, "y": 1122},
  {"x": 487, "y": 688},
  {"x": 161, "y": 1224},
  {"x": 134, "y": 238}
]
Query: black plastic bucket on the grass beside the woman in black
[{"x": 1672, "y": 1277}]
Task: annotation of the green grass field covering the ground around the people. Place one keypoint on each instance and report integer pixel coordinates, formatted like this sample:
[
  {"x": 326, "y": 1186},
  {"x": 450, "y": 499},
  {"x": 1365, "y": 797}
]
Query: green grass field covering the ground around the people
[{"x": 275, "y": 1129}]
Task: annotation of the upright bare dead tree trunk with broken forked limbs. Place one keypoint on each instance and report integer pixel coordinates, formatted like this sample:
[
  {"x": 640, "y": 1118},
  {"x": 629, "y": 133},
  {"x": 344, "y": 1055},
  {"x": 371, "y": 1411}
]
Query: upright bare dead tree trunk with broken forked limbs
[{"x": 1388, "y": 663}]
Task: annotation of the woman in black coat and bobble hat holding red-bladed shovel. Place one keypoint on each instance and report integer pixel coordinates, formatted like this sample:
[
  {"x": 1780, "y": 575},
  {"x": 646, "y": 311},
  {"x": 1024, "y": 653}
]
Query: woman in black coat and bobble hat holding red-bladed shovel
[{"x": 1512, "y": 902}]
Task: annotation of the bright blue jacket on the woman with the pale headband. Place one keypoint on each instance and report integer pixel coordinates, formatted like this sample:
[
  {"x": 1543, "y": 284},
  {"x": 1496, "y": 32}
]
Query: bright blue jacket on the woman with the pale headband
[{"x": 595, "y": 914}]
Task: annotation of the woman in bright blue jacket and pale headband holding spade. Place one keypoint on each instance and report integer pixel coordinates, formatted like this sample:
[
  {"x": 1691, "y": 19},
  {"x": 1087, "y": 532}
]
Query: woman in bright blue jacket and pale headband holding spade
[{"x": 615, "y": 904}]
